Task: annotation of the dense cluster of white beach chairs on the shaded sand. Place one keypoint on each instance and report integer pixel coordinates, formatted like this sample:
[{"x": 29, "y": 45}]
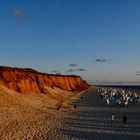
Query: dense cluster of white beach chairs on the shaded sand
[{"x": 111, "y": 96}]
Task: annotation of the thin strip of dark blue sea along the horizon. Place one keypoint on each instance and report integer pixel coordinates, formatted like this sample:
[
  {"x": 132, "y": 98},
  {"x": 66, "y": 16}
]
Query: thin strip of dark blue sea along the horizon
[{"x": 129, "y": 87}]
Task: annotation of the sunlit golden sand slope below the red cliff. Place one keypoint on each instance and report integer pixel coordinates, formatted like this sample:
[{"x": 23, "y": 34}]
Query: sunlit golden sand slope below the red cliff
[{"x": 29, "y": 116}]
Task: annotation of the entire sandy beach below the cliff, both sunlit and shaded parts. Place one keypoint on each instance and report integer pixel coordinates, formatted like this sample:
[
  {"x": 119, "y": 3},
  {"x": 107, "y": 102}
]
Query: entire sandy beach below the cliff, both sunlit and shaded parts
[{"x": 34, "y": 117}]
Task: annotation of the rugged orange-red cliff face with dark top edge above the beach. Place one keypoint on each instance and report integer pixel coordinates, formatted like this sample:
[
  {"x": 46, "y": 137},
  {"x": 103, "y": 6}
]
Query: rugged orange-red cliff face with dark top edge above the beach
[{"x": 28, "y": 80}]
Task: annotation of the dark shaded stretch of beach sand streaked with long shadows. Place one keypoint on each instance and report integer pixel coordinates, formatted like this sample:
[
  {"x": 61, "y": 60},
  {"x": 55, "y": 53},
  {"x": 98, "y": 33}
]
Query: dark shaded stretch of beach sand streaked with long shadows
[{"x": 92, "y": 121}]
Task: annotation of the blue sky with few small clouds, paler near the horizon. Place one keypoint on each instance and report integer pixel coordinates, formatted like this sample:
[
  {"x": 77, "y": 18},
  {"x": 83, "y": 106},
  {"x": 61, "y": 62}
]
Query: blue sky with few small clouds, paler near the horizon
[{"x": 100, "y": 37}]
